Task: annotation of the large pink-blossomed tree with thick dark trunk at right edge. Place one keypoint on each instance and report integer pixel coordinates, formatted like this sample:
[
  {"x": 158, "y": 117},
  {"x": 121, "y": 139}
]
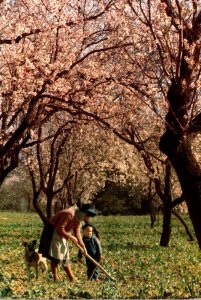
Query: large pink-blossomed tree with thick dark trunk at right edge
[{"x": 157, "y": 78}]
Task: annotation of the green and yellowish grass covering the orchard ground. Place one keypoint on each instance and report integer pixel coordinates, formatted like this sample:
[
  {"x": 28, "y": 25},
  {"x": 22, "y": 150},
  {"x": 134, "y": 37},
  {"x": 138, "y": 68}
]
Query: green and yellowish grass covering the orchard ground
[{"x": 142, "y": 268}]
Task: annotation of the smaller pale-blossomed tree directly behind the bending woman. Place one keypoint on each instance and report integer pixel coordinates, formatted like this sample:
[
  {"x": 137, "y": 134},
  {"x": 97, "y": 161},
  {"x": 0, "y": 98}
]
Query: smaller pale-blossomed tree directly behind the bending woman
[{"x": 72, "y": 165}]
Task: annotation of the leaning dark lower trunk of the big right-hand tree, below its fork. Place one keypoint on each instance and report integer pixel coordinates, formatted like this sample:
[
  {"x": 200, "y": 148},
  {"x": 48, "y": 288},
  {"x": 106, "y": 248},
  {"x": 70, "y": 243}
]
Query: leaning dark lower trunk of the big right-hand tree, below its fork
[{"x": 189, "y": 174}]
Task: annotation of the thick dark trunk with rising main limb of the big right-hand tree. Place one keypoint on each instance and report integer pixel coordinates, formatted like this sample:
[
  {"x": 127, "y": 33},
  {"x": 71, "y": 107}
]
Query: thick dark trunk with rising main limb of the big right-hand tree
[{"x": 181, "y": 125}]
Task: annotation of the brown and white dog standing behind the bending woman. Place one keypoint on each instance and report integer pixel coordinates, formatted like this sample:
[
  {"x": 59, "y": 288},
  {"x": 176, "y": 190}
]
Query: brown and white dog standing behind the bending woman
[{"x": 33, "y": 258}]
